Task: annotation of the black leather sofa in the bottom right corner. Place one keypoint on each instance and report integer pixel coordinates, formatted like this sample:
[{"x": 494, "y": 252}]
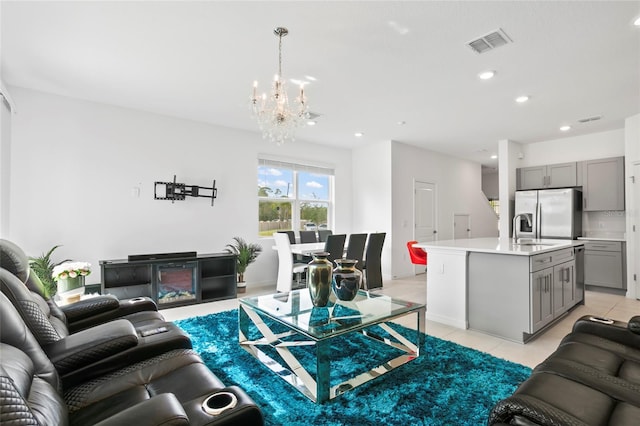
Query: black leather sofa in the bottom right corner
[{"x": 593, "y": 378}]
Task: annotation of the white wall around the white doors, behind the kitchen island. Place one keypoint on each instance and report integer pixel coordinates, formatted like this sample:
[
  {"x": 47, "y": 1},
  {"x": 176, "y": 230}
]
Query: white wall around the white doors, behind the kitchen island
[{"x": 459, "y": 191}]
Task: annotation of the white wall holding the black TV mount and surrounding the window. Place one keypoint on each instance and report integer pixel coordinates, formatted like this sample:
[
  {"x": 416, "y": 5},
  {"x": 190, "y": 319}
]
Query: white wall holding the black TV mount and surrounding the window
[{"x": 75, "y": 166}]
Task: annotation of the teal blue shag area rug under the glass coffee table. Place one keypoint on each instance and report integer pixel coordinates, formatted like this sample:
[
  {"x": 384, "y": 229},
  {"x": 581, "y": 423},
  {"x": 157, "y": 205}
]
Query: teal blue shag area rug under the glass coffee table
[{"x": 448, "y": 383}]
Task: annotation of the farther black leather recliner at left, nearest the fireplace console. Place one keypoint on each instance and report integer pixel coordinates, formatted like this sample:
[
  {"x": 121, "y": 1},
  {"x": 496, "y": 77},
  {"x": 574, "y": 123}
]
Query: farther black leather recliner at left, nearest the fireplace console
[{"x": 92, "y": 351}]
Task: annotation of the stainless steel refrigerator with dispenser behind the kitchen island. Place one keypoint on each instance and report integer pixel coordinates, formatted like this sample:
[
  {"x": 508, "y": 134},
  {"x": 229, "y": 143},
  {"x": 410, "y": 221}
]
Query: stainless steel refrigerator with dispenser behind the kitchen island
[{"x": 553, "y": 213}]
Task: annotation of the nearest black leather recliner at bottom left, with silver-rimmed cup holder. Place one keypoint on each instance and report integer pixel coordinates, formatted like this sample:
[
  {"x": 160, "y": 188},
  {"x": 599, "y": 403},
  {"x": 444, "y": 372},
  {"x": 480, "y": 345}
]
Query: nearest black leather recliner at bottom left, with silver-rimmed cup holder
[{"x": 174, "y": 388}]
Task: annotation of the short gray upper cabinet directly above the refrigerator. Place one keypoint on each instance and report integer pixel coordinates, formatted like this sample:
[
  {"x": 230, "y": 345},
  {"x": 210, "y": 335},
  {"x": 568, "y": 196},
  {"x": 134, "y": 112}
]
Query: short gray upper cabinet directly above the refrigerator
[{"x": 550, "y": 176}]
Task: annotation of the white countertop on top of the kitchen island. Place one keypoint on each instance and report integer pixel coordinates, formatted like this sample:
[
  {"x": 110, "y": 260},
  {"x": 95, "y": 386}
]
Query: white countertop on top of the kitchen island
[{"x": 499, "y": 246}]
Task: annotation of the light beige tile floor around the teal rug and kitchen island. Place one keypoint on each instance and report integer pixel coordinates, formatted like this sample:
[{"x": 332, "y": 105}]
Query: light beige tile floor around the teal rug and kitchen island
[{"x": 414, "y": 289}]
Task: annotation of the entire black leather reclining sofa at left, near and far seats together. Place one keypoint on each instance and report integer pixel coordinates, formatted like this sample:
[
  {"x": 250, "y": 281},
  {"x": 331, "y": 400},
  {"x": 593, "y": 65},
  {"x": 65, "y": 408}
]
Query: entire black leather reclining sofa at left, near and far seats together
[{"x": 93, "y": 362}]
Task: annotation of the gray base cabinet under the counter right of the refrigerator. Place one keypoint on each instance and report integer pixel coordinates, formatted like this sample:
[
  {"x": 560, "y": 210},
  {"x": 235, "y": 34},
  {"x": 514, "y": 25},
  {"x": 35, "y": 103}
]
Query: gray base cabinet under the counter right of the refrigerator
[{"x": 604, "y": 264}]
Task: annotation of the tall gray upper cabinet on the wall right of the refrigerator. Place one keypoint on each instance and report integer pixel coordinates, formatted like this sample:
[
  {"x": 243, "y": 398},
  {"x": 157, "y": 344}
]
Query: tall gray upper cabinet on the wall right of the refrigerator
[{"x": 603, "y": 184}]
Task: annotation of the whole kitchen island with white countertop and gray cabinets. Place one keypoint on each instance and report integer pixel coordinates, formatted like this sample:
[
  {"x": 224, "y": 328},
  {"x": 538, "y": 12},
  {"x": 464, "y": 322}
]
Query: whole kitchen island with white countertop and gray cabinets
[{"x": 510, "y": 290}]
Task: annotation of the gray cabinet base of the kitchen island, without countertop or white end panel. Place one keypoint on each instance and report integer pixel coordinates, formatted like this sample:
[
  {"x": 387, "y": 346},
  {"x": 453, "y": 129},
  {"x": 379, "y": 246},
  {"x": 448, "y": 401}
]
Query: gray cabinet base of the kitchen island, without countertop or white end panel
[{"x": 516, "y": 297}]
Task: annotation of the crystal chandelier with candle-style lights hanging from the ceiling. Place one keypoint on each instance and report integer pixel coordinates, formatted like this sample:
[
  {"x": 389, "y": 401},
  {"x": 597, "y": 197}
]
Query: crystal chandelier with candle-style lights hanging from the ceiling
[{"x": 276, "y": 118}]
